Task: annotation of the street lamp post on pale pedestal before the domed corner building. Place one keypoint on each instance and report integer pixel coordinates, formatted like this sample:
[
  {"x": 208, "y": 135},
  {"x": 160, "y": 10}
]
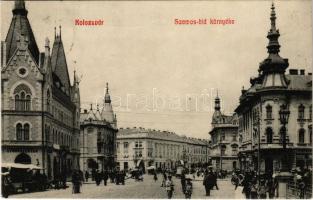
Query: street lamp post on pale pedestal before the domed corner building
[{"x": 284, "y": 175}]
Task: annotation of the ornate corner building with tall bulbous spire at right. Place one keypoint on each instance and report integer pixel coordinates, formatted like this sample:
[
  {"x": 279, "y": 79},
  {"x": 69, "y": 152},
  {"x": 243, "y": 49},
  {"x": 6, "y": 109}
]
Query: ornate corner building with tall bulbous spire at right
[{"x": 260, "y": 105}]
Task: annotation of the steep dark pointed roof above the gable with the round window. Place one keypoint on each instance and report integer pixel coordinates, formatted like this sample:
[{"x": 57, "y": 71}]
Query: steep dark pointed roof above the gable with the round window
[{"x": 20, "y": 26}]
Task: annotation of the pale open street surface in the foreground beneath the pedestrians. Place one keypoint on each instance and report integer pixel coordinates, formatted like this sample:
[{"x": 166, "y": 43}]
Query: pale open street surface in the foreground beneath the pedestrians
[{"x": 133, "y": 189}]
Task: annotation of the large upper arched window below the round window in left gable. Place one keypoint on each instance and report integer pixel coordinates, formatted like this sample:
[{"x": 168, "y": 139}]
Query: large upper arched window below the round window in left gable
[{"x": 22, "y": 95}]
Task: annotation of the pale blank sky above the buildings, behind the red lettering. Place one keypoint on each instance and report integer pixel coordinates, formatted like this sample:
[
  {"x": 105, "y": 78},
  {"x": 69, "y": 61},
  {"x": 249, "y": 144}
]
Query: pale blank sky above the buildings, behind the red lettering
[{"x": 153, "y": 65}]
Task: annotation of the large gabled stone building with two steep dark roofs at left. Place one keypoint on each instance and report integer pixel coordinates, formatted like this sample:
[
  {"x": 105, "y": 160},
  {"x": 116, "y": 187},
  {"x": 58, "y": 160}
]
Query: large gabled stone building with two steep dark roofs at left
[{"x": 40, "y": 107}]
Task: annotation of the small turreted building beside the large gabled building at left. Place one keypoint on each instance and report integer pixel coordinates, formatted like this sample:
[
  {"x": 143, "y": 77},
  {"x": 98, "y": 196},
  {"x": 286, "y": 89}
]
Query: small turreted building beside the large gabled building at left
[{"x": 98, "y": 136}]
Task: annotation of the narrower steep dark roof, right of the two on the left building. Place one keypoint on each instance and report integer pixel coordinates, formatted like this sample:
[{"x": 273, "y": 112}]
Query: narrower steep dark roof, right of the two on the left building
[{"x": 58, "y": 62}]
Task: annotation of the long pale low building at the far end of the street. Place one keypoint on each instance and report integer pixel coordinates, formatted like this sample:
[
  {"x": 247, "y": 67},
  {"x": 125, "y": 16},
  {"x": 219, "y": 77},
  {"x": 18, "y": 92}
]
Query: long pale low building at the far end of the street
[{"x": 139, "y": 147}]
